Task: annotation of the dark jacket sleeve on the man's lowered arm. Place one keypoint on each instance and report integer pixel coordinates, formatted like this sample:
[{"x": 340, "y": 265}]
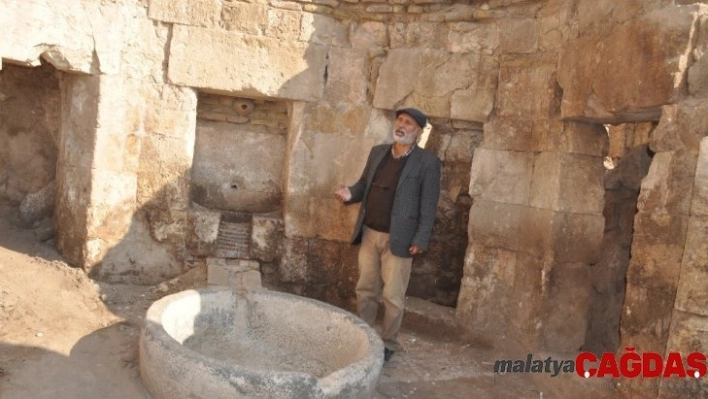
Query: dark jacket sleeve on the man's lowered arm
[{"x": 429, "y": 195}]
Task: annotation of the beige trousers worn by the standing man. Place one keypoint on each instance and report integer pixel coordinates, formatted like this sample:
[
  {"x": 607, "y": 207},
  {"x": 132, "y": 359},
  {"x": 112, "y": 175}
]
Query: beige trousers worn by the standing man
[{"x": 379, "y": 268}]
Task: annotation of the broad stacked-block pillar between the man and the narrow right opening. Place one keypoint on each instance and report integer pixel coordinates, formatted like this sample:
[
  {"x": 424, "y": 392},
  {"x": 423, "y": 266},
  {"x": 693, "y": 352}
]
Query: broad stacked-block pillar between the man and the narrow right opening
[{"x": 536, "y": 224}]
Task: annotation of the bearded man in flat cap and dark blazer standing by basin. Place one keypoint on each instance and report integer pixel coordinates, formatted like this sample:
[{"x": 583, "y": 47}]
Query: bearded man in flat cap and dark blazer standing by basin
[{"x": 398, "y": 191}]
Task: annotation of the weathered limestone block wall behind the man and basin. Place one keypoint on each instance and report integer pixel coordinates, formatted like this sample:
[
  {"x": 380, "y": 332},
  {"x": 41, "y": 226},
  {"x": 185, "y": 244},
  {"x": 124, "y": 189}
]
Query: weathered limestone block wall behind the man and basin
[{"x": 159, "y": 165}]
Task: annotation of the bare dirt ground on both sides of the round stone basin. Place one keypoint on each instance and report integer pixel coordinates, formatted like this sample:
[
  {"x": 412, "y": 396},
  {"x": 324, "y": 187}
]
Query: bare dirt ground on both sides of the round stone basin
[{"x": 63, "y": 335}]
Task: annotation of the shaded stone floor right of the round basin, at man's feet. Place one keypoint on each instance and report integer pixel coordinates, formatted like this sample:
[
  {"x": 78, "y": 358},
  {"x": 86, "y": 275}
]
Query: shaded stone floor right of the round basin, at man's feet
[{"x": 434, "y": 364}]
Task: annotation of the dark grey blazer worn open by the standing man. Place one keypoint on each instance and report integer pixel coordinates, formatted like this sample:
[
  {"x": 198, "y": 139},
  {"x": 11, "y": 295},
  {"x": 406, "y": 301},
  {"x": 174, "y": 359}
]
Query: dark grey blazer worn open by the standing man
[{"x": 415, "y": 201}]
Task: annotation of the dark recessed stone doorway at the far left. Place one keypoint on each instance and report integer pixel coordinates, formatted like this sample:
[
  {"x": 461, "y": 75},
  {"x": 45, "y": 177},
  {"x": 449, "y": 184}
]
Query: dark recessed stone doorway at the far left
[{"x": 30, "y": 120}]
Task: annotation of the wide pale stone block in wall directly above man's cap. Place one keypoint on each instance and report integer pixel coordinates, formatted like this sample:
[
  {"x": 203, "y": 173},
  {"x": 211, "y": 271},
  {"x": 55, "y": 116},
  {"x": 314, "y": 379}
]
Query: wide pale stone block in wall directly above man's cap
[{"x": 429, "y": 79}]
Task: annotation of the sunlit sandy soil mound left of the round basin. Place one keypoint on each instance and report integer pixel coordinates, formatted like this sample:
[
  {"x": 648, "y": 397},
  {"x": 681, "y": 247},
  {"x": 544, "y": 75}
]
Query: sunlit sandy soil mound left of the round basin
[{"x": 63, "y": 335}]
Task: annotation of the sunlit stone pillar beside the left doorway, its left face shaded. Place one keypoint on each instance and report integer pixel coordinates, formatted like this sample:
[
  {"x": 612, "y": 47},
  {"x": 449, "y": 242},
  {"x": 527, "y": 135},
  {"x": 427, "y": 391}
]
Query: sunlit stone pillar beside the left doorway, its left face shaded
[{"x": 96, "y": 175}]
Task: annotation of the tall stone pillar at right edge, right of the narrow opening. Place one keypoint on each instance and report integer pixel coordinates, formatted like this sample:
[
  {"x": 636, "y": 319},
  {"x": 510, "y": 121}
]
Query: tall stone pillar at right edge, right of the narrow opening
[{"x": 665, "y": 304}]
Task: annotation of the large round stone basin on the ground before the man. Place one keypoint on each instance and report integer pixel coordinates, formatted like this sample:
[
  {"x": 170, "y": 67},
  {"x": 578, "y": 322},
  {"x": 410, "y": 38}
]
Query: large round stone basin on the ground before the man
[{"x": 220, "y": 343}]
